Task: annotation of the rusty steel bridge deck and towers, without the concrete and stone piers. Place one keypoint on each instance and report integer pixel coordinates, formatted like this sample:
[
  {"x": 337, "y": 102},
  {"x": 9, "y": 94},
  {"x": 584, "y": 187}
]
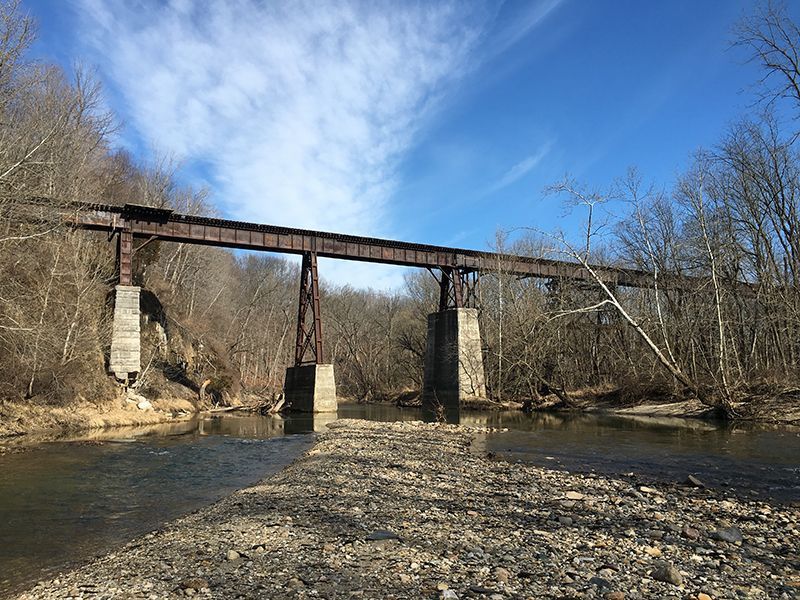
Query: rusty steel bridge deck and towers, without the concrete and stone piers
[{"x": 460, "y": 268}]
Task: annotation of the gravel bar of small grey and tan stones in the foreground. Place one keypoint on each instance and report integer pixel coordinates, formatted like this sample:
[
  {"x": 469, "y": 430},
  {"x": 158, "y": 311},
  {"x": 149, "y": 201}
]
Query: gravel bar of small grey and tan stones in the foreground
[{"x": 412, "y": 510}]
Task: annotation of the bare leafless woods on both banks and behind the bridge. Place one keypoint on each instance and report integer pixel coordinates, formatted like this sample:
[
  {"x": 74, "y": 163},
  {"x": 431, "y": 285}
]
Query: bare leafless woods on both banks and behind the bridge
[{"x": 731, "y": 219}]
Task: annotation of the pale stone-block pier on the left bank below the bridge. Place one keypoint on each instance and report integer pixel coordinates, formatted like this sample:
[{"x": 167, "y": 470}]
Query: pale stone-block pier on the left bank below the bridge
[{"x": 125, "y": 337}]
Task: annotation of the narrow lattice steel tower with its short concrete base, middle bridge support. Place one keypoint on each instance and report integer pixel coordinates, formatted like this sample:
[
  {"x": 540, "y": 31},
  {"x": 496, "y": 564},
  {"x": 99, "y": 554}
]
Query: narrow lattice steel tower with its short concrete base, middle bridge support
[{"x": 310, "y": 385}]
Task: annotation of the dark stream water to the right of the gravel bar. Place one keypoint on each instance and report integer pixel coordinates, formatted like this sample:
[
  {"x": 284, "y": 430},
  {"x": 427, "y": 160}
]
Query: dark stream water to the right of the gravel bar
[{"x": 760, "y": 461}]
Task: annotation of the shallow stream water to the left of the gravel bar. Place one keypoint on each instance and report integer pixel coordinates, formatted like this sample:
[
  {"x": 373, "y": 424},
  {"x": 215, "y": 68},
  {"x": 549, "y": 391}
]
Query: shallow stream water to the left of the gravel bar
[{"x": 65, "y": 501}]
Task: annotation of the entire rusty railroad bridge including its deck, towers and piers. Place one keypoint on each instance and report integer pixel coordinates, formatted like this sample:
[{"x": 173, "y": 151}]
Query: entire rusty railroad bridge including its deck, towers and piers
[{"x": 454, "y": 368}]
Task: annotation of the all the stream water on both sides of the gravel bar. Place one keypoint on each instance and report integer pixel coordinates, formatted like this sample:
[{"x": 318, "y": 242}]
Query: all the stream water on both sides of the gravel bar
[{"x": 66, "y": 501}]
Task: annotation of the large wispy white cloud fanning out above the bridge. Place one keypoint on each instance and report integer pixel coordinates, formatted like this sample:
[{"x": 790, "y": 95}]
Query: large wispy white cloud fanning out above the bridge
[{"x": 299, "y": 111}]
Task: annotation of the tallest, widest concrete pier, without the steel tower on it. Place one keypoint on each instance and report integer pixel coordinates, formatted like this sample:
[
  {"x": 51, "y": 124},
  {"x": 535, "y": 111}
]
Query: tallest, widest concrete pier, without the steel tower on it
[{"x": 453, "y": 359}]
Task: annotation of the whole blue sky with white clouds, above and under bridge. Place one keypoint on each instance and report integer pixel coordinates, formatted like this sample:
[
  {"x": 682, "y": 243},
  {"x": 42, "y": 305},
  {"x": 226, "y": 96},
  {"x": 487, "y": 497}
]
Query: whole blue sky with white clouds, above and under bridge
[{"x": 430, "y": 122}]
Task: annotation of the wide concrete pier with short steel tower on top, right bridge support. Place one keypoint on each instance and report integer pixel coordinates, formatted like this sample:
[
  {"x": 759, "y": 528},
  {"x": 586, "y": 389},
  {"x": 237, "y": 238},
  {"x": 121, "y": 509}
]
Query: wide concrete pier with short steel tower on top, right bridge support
[{"x": 454, "y": 370}]
